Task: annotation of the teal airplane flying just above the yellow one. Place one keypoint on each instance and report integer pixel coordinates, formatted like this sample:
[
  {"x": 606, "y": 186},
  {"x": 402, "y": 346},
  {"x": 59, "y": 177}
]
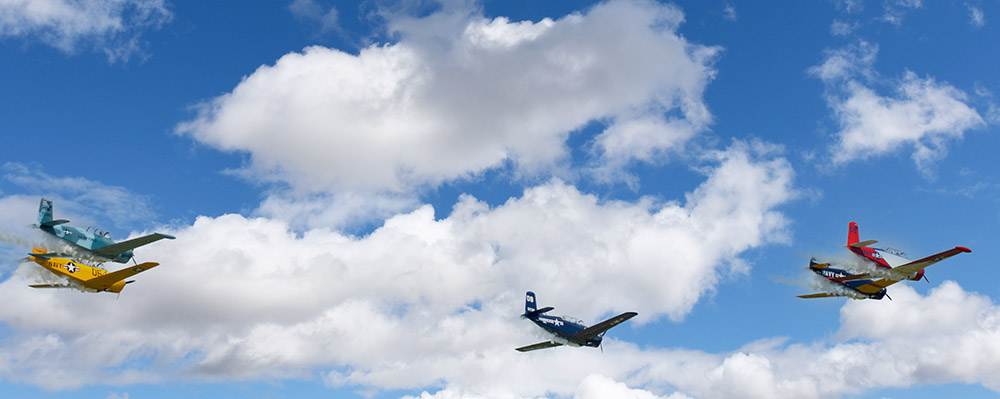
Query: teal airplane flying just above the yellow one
[{"x": 90, "y": 240}]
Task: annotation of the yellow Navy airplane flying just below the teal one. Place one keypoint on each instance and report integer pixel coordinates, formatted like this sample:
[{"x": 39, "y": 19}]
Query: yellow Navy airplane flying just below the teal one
[{"x": 85, "y": 277}]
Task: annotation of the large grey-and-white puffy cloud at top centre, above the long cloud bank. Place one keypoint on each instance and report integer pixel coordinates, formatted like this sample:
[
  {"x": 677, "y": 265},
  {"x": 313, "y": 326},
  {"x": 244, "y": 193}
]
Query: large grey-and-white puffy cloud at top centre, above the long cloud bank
[{"x": 458, "y": 94}]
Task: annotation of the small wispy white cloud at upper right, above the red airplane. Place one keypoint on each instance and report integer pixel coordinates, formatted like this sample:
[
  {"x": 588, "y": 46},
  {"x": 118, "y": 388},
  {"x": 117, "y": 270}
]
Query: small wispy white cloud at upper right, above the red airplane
[{"x": 922, "y": 114}]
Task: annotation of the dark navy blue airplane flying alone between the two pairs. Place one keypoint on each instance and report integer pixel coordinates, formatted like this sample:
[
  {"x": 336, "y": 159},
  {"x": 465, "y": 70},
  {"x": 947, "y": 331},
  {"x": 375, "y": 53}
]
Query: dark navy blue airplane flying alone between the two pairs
[{"x": 566, "y": 330}]
